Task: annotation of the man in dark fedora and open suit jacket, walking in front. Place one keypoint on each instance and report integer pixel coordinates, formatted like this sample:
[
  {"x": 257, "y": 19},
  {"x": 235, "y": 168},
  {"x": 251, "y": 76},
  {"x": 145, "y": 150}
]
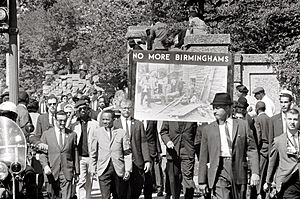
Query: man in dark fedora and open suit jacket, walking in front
[{"x": 225, "y": 146}]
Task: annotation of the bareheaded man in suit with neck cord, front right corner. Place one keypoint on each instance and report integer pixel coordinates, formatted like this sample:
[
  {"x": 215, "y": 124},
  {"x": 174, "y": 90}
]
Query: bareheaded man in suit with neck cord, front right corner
[{"x": 284, "y": 160}]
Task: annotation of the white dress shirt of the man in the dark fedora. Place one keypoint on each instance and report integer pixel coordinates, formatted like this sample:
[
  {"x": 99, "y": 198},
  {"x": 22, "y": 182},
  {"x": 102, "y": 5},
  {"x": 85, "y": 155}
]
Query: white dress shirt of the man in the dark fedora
[{"x": 224, "y": 144}]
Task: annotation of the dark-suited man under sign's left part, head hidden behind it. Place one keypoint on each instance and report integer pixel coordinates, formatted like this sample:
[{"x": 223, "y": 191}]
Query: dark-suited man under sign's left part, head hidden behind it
[{"x": 154, "y": 178}]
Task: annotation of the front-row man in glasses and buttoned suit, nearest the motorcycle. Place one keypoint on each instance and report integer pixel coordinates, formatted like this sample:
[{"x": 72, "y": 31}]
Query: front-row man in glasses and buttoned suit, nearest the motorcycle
[{"x": 61, "y": 163}]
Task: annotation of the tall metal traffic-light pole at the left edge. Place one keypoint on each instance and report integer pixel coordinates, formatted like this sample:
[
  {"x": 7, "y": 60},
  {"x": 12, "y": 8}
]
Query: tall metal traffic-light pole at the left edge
[{"x": 13, "y": 53}]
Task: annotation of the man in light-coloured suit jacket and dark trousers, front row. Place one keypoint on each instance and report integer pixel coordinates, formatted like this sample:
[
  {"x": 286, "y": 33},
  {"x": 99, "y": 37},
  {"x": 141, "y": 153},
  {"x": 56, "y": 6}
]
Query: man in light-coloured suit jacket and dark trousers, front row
[{"x": 112, "y": 158}]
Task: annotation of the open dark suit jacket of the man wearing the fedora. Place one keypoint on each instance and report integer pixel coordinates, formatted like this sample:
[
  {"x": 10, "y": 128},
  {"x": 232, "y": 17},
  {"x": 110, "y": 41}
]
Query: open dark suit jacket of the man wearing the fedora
[{"x": 243, "y": 146}]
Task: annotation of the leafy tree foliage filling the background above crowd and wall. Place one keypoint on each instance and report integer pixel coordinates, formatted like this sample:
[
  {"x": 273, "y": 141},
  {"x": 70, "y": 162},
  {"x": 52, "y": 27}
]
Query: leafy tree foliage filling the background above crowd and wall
[{"x": 94, "y": 31}]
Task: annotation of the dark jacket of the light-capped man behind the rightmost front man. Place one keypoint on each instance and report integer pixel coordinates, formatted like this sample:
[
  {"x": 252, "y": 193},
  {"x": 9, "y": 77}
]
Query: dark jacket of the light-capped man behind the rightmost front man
[{"x": 276, "y": 128}]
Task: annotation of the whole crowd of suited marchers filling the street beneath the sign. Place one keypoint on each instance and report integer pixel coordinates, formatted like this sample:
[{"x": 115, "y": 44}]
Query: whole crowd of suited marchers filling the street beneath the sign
[{"x": 247, "y": 152}]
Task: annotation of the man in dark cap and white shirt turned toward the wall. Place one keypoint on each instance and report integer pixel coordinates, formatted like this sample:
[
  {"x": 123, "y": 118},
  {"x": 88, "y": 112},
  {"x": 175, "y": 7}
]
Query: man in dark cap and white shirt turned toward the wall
[{"x": 260, "y": 94}]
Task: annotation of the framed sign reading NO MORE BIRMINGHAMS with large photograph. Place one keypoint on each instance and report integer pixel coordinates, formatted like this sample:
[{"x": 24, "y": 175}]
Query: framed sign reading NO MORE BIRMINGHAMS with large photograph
[{"x": 177, "y": 86}]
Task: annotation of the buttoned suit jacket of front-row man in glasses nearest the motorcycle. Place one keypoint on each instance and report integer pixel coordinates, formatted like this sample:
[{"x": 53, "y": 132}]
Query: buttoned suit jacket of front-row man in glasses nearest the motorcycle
[{"x": 58, "y": 158}]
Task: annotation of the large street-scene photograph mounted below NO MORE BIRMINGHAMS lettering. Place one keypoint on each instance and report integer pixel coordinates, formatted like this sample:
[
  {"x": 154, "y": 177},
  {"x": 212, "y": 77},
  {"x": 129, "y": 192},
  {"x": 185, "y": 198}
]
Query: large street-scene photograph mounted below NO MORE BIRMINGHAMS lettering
[{"x": 173, "y": 92}]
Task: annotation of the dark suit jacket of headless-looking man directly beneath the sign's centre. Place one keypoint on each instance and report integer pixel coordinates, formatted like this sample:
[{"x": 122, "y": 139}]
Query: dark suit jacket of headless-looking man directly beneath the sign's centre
[{"x": 185, "y": 136}]
